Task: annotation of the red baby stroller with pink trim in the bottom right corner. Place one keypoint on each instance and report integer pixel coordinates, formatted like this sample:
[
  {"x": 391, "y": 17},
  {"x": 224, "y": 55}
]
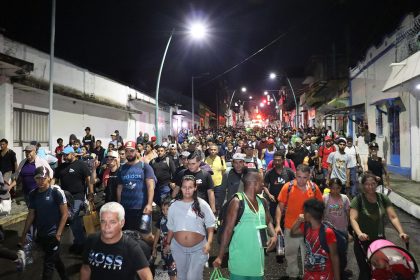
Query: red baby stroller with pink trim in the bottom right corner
[{"x": 387, "y": 261}]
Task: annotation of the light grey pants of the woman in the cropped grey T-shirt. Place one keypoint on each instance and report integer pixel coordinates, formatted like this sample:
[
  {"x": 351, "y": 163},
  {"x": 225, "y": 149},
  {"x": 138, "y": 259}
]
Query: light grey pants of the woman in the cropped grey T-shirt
[{"x": 189, "y": 261}]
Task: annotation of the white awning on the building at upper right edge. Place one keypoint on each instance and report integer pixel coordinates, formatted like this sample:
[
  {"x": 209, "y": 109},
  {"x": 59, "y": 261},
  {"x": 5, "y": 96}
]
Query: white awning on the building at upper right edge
[{"x": 403, "y": 72}]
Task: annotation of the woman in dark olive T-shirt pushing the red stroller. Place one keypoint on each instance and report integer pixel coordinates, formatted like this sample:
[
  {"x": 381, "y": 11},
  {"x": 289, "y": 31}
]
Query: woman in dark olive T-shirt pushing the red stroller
[{"x": 367, "y": 217}]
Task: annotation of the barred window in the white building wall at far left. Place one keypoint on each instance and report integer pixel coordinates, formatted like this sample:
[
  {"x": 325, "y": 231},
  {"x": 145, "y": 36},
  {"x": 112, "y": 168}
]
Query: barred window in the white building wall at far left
[{"x": 29, "y": 126}]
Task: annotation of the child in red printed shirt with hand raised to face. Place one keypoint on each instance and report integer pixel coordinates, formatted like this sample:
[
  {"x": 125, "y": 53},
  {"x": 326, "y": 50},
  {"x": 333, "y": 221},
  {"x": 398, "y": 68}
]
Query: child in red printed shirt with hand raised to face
[{"x": 318, "y": 263}]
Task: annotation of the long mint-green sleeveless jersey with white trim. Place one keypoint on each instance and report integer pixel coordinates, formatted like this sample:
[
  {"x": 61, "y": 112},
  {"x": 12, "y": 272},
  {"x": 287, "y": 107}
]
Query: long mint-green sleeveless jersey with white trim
[{"x": 246, "y": 254}]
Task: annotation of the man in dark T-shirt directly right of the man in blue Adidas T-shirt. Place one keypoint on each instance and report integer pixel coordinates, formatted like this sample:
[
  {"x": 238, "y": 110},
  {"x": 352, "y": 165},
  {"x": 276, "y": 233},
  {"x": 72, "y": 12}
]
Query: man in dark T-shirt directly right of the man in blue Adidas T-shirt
[{"x": 164, "y": 168}]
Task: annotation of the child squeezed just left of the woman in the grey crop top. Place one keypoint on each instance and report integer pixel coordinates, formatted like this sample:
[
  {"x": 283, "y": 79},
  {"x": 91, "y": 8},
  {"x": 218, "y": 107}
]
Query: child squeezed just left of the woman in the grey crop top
[{"x": 161, "y": 235}]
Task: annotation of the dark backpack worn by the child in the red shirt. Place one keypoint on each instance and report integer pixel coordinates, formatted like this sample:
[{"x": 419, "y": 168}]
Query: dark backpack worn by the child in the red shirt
[{"x": 342, "y": 241}]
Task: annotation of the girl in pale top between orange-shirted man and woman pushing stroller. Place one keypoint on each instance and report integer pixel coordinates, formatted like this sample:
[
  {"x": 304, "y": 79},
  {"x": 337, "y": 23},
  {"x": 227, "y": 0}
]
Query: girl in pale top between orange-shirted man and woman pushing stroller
[{"x": 337, "y": 207}]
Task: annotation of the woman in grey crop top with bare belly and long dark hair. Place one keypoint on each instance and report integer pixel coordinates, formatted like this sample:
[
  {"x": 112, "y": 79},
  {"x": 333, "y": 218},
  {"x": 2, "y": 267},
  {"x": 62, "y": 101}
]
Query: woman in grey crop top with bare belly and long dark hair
[{"x": 190, "y": 219}]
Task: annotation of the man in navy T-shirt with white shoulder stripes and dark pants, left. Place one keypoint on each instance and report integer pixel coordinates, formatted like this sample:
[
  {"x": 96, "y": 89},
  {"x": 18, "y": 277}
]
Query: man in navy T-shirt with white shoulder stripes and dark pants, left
[{"x": 48, "y": 209}]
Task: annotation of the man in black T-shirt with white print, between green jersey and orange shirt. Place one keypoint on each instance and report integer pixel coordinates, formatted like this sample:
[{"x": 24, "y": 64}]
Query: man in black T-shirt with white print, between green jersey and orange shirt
[{"x": 274, "y": 180}]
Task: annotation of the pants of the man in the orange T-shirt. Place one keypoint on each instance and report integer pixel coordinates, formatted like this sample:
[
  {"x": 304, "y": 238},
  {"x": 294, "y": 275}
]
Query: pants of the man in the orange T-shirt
[{"x": 292, "y": 246}]
